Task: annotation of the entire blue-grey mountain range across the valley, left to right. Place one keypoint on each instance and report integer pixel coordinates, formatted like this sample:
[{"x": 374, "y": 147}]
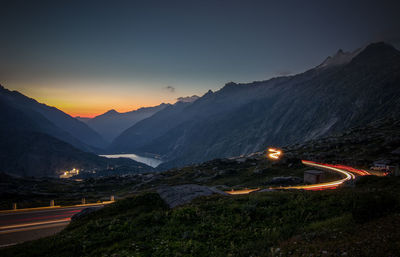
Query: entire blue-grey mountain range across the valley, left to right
[{"x": 346, "y": 90}]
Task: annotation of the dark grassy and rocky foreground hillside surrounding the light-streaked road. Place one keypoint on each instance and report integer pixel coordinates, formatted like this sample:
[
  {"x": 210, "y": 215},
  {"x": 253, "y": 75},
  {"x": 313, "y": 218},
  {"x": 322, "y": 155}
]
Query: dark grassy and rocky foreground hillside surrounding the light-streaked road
[{"x": 359, "y": 219}]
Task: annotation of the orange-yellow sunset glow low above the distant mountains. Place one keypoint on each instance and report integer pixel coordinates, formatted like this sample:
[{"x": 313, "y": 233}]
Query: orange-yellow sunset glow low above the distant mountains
[{"x": 89, "y": 100}]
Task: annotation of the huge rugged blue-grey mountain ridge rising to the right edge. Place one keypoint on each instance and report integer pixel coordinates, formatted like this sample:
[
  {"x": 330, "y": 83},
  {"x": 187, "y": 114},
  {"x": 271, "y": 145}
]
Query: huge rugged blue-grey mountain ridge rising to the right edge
[{"x": 348, "y": 89}]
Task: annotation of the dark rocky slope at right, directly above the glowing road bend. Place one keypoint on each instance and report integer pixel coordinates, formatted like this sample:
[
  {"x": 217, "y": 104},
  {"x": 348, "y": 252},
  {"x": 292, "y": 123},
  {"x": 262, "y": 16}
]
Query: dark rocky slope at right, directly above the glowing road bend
[{"x": 358, "y": 146}]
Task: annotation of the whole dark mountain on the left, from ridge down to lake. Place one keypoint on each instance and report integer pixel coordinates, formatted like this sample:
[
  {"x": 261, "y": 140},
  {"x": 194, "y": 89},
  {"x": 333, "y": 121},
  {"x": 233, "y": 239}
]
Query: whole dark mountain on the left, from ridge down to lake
[{"x": 31, "y": 144}]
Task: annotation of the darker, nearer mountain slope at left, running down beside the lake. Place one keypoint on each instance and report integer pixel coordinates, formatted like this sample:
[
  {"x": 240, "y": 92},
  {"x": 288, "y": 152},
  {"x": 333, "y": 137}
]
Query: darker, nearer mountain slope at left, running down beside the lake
[{"x": 26, "y": 151}]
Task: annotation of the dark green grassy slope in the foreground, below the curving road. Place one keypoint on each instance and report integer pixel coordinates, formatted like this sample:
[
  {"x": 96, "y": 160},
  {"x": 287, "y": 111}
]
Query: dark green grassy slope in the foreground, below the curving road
[{"x": 248, "y": 225}]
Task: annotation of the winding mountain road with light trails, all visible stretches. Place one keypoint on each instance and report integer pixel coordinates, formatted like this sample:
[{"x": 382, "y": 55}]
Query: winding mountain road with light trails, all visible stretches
[{"x": 23, "y": 225}]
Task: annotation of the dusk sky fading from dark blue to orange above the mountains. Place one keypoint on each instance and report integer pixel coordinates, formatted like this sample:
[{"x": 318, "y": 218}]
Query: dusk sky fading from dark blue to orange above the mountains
[{"x": 87, "y": 57}]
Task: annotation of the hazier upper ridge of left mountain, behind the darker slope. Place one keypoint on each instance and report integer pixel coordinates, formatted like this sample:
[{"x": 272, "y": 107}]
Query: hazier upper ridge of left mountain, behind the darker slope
[{"x": 53, "y": 121}]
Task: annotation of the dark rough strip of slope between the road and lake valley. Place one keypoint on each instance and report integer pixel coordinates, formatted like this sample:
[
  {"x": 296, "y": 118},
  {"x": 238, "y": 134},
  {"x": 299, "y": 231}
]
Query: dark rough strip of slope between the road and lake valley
[{"x": 225, "y": 174}]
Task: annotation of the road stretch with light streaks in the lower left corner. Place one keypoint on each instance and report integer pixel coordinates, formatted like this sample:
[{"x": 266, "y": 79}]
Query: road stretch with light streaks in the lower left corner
[{"x": 24, "y": 225}]
